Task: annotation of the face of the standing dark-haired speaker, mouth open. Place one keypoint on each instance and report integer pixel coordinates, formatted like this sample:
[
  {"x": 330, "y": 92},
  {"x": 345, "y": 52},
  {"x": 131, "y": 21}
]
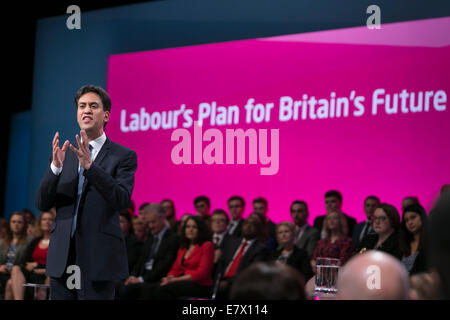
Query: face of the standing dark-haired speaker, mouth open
[{"x": 90, "y": 114}]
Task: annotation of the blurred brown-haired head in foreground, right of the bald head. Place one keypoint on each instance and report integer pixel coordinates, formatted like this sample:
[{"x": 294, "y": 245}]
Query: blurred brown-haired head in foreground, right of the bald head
[{"x": 424, "y": 286}]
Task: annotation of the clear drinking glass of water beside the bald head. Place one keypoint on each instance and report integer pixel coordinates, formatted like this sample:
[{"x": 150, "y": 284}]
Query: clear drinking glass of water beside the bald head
[{"x": 326, "y": 275}]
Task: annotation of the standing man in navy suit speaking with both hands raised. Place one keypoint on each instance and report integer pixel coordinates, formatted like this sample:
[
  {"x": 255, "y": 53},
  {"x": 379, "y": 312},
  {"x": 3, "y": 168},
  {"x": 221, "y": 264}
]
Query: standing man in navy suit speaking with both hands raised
[{"x": 89, "y": 186}]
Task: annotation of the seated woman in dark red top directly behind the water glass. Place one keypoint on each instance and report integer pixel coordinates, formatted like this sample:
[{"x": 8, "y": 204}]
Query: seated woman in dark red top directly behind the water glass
[{"x": 336, "y": 243}]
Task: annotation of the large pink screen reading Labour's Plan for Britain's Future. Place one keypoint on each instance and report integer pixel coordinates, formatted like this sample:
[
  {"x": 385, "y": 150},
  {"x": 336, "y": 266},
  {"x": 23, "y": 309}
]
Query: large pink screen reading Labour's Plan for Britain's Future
[{"x": 380, "y": 123}]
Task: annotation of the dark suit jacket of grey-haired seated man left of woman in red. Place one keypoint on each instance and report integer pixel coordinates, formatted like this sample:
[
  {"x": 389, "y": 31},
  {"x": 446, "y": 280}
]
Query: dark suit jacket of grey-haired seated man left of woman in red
[{"x": 163, "y": 260}]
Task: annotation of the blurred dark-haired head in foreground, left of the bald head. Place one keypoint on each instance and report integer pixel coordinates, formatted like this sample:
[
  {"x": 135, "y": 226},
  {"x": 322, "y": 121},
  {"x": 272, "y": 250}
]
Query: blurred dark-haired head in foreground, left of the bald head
[{"x": 268, "y": 281}]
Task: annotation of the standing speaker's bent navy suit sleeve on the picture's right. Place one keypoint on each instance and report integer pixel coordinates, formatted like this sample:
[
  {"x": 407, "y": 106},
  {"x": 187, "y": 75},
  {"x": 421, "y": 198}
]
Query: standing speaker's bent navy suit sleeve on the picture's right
[{"x": 115, "y": 190}]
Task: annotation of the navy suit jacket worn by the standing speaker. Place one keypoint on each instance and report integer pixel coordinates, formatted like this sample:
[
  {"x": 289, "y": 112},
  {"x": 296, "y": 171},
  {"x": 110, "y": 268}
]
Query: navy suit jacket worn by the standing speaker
[{"x": 100, "y": 246}]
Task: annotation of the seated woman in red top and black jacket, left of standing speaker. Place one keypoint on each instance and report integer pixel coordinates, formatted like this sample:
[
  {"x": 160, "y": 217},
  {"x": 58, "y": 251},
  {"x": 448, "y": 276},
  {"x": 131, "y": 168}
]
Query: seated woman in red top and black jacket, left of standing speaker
[{"x": 32, "y": 268}]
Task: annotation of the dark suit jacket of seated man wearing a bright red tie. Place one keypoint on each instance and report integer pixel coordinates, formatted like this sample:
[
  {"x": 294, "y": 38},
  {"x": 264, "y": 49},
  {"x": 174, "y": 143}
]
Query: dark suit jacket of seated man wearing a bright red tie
[{"x": 256, "y": 252}]
